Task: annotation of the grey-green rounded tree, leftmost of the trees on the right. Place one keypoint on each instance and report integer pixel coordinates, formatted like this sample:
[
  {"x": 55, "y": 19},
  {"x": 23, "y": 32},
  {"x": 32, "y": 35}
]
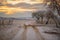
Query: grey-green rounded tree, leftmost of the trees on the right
[{"x": 38, "y": 15}]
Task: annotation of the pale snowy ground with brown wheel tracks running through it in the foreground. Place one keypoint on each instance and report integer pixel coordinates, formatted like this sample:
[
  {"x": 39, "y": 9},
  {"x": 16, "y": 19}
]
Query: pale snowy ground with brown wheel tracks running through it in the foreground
[{"x": 18, "y": 32}]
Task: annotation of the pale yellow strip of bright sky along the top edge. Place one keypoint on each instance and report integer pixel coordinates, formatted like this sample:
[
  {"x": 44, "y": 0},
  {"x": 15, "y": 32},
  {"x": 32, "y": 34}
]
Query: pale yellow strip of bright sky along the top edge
[{"x": 26, "y": 1}]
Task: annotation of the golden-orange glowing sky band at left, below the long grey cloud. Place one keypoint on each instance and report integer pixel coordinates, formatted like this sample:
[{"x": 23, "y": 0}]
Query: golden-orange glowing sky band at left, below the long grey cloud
[{"x": 11, "y": 10}]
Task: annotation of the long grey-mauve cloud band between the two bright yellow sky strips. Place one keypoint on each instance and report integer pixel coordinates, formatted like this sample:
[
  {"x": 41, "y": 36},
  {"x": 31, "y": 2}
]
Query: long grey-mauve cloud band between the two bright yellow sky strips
[{"x": 26, "y": 5}]
